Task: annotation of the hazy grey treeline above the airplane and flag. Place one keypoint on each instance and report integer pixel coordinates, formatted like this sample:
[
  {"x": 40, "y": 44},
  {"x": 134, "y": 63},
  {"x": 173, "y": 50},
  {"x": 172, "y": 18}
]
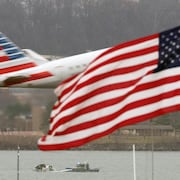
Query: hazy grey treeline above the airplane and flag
[{"x": 65, "y": 27}]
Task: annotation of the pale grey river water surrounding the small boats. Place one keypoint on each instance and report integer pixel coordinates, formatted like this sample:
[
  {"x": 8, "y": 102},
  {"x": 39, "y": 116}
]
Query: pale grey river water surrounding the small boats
[{"x": 114, "y": 165}]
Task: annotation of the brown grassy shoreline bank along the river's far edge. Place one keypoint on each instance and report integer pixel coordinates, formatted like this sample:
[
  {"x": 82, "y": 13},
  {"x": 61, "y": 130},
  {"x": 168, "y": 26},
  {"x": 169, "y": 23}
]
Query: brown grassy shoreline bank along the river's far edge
[{"x": 107, "y": 143}]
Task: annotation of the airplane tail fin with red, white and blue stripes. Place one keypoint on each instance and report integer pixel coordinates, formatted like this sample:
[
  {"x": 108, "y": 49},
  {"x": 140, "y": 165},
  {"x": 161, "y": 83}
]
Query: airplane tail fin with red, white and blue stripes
[{"x": 12, "y": 58}]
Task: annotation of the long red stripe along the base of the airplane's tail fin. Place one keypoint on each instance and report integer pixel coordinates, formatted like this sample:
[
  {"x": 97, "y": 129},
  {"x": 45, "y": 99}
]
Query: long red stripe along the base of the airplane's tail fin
[{"x": 17, "y": 68}]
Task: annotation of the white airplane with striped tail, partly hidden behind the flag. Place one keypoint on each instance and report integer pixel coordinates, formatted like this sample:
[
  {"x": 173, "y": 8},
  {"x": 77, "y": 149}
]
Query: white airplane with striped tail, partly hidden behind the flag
[{"x": 26, "y": 69}]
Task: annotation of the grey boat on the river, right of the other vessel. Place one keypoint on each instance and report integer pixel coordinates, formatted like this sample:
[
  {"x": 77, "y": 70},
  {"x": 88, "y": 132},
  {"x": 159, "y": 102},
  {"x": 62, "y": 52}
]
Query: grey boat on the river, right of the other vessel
[{"x": 81, "y": 167}]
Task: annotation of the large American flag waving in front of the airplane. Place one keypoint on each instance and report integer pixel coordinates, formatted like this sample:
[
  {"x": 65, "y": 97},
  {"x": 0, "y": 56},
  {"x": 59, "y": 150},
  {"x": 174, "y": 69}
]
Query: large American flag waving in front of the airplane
[{"x": 129, "y": 83}]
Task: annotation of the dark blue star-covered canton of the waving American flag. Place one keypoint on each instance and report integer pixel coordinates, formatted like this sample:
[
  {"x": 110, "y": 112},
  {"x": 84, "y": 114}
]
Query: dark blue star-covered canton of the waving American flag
[{"x": 169, "y": 49}]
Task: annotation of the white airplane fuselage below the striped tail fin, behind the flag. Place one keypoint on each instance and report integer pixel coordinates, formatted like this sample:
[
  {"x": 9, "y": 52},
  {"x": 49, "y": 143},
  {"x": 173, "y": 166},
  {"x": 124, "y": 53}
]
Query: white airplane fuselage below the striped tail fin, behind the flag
[{"x": 50, "y": 74}]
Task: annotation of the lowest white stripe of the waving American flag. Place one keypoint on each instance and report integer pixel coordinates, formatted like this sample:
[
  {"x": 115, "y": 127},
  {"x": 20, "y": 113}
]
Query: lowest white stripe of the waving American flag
[{"x": 101, "y": 128}]
